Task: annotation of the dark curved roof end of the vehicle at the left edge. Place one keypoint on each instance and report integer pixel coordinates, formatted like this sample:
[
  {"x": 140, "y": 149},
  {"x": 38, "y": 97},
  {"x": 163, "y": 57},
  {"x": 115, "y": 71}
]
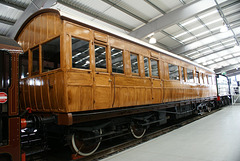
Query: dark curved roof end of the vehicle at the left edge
[{"x": 10, "y": 45}]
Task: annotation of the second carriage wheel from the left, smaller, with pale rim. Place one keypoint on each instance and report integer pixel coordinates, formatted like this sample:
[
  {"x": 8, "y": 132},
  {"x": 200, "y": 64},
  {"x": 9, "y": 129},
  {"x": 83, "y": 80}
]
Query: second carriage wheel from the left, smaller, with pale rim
[{"x": 137, "y": 130}]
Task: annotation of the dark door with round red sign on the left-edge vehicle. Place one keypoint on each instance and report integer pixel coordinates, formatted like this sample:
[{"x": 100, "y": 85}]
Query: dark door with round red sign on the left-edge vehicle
[{"x": 4, "y": 85}]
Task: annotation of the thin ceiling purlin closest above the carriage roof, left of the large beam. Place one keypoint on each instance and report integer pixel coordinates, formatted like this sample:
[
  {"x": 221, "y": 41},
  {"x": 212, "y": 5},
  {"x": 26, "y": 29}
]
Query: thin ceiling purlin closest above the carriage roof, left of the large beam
[{"x": 95, "y": 15}]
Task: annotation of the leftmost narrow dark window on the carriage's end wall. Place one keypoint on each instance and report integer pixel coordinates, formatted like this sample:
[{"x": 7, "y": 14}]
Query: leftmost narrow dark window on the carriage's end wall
[{"x": 23, "y": 71}]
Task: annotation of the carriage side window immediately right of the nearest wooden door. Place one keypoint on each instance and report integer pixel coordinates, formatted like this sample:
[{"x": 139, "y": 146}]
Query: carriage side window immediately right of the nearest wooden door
[{"x": 117, "y": 60}]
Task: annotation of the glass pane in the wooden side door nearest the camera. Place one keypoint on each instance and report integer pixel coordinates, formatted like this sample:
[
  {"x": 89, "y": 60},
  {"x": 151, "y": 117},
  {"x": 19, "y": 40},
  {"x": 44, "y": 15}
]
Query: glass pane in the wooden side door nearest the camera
[{"x": 100, "y": 56}]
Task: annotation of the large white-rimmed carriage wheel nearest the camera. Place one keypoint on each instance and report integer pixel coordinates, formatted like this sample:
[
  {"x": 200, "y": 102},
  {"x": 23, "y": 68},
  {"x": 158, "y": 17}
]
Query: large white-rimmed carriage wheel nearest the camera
[{"x": 85, "y": 147}]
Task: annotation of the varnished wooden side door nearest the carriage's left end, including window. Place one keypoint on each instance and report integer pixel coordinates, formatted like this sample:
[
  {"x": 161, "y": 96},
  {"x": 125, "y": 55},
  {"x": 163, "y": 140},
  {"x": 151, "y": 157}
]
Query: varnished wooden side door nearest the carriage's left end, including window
[{"x": 102, "y": 80}]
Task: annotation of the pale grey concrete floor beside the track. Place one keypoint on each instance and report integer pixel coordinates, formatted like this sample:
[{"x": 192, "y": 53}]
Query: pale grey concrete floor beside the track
[{"x": 213, "y": 138}]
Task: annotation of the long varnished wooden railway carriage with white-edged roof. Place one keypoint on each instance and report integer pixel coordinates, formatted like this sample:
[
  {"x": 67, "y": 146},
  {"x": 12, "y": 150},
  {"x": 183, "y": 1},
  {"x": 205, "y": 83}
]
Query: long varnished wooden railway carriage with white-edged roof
[{"x": 82, "y": 72}]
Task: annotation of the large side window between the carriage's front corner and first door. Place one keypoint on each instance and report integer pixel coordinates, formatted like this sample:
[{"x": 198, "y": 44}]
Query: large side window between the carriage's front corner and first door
[{"x": 80, "y": 53}]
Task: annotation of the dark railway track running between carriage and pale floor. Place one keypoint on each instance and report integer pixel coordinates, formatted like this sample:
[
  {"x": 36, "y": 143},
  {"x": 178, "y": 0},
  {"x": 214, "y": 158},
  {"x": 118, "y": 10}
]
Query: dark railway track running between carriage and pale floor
[{"x": 153, "y": 133}]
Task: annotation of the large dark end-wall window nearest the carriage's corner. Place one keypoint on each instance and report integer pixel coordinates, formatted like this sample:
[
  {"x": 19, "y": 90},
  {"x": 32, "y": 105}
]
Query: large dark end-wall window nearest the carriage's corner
[{"x": 51, "y": 55}]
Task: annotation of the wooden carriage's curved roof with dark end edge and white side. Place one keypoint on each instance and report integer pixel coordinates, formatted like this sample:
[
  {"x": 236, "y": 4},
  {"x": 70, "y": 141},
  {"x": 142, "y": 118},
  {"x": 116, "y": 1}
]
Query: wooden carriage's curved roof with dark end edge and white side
[{"x": 86, "y": 22}]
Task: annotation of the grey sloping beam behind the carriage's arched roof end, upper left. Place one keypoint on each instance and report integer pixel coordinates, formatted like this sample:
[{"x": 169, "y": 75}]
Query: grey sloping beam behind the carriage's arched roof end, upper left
[{"x": 33, "y": 7}]
